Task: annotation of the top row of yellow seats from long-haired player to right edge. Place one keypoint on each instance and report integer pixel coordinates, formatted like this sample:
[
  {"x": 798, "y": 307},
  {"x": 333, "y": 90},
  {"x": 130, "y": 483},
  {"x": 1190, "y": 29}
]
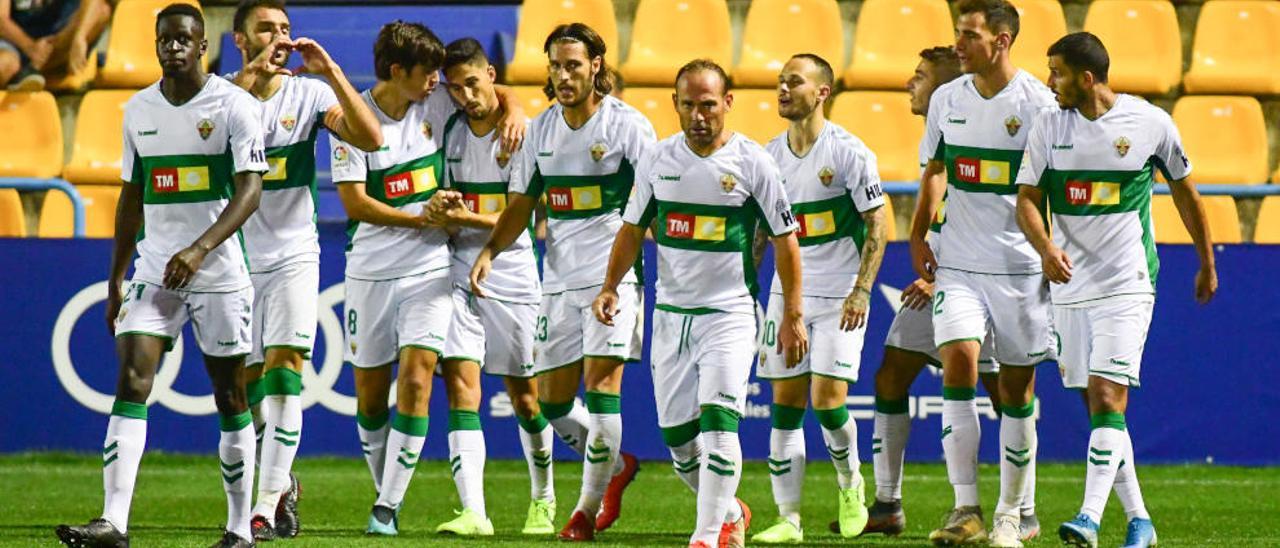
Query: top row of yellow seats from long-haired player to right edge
[{"x": 1236, "y": 51}]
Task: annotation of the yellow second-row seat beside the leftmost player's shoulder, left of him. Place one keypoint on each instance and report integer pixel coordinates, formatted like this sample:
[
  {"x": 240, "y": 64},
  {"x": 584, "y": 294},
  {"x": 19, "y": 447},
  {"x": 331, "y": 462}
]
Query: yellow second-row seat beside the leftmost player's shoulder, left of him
[{"x": 98, "y": 147}]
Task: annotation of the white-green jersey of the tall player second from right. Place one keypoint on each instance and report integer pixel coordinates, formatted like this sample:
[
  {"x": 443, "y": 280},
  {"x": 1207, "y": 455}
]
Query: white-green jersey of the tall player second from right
[{"x": 981, "y": 141}]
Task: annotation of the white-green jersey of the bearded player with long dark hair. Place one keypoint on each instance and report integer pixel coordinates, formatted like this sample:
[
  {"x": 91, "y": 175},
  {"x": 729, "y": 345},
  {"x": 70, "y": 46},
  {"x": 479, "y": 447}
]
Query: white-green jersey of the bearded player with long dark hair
[{"x": 587, "y": 175}]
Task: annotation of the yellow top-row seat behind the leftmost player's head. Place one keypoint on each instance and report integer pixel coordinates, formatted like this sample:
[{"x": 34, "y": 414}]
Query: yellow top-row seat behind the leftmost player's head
[{"x": 131, "y": 49}]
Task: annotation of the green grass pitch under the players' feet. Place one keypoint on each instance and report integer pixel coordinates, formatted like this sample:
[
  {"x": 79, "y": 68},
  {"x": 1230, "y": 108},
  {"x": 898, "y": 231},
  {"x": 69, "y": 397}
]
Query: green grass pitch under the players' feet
[{"x": 180, "y": 503}]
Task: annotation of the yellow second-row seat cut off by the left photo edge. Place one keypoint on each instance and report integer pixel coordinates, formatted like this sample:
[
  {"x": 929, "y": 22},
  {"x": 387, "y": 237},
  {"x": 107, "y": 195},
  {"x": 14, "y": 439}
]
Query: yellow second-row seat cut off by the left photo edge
[{"x": 31, "y": 140}]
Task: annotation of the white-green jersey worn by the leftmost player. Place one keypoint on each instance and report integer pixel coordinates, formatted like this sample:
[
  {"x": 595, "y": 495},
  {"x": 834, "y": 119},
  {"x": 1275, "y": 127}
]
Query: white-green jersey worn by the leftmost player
[{"x": 186, "y": 159}]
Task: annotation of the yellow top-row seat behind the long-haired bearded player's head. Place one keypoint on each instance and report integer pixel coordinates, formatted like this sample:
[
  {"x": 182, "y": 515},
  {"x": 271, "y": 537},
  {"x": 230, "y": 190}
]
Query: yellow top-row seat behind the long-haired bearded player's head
[{"x": 538, "y": 19}]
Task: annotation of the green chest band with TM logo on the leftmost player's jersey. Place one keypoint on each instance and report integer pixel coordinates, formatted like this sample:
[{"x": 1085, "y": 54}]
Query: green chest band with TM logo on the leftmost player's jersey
[{"x": 185, "y": 179}]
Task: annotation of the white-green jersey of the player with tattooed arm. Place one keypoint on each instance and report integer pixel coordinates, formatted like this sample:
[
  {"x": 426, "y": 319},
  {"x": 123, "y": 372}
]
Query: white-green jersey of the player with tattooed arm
[{"x": 830, "y": 190}]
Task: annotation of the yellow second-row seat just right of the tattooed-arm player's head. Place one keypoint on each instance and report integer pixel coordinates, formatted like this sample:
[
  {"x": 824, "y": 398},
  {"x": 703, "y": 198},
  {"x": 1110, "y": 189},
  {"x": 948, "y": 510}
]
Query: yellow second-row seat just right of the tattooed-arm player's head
[{"x": 884, "y": 121}]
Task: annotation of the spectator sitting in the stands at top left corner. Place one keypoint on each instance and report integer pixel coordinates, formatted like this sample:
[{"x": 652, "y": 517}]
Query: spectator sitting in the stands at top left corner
[{"x": 48, "y": 39}]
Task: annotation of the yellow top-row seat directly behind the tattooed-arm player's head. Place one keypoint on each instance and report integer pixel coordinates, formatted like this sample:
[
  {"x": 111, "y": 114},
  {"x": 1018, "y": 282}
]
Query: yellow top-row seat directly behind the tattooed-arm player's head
[{"x": 776, "y": 30}]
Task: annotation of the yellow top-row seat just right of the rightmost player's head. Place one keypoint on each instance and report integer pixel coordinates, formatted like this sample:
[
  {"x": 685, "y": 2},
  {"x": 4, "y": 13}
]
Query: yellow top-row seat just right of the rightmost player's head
[{"x": 1144, "y": 42}]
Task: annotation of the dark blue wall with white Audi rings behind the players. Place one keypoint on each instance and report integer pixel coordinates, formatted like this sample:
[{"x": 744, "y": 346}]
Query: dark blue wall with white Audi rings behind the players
[{"x": 1209, "y": 381}]
